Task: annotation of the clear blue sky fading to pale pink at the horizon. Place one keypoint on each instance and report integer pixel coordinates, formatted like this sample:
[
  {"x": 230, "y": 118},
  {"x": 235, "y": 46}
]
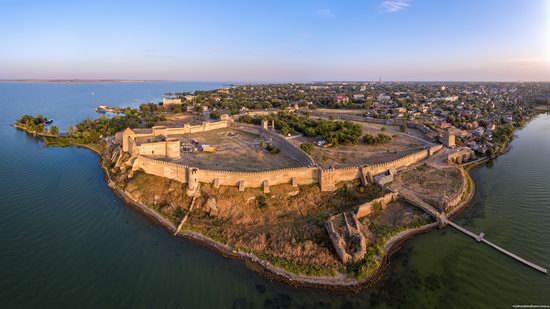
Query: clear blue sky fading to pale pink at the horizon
[{"x": 276, "y": 40}]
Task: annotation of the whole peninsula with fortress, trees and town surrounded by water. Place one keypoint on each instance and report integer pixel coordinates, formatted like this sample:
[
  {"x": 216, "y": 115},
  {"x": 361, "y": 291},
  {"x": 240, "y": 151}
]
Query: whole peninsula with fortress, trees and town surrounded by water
[{"x": 315, "y": 184}]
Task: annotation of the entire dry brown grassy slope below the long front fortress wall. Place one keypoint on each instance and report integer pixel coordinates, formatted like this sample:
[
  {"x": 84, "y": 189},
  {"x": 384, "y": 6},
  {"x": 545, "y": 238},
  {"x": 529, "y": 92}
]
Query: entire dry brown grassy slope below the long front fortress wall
[{"x": 284, "y": 227}]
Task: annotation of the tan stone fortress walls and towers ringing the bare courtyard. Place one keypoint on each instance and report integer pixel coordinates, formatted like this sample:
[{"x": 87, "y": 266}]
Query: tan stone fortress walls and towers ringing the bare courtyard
[{"x": 155, "y": 150}]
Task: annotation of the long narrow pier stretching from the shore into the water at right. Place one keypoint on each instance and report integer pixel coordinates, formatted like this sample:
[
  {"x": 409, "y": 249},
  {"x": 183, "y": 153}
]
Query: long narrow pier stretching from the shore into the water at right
[{"x": 442, "y": 219}]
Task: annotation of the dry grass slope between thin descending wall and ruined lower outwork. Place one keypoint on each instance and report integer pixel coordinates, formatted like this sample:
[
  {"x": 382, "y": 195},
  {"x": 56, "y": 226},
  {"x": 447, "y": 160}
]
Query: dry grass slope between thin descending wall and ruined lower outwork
[{"x": 285, "y": 226}]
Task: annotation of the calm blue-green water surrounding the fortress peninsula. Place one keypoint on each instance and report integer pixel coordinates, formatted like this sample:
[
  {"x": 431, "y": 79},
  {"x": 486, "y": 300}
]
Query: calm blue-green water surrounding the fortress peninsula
[{"x": 67, "y": 241}]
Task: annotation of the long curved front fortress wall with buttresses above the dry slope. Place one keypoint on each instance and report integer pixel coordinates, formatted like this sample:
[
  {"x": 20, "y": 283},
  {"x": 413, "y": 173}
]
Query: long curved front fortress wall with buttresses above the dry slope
[{"x": 326, "y": 178}]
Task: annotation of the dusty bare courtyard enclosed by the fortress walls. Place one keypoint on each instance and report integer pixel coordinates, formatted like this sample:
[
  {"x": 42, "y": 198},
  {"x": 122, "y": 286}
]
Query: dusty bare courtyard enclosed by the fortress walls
[{"x": 235, "y": 151}]
